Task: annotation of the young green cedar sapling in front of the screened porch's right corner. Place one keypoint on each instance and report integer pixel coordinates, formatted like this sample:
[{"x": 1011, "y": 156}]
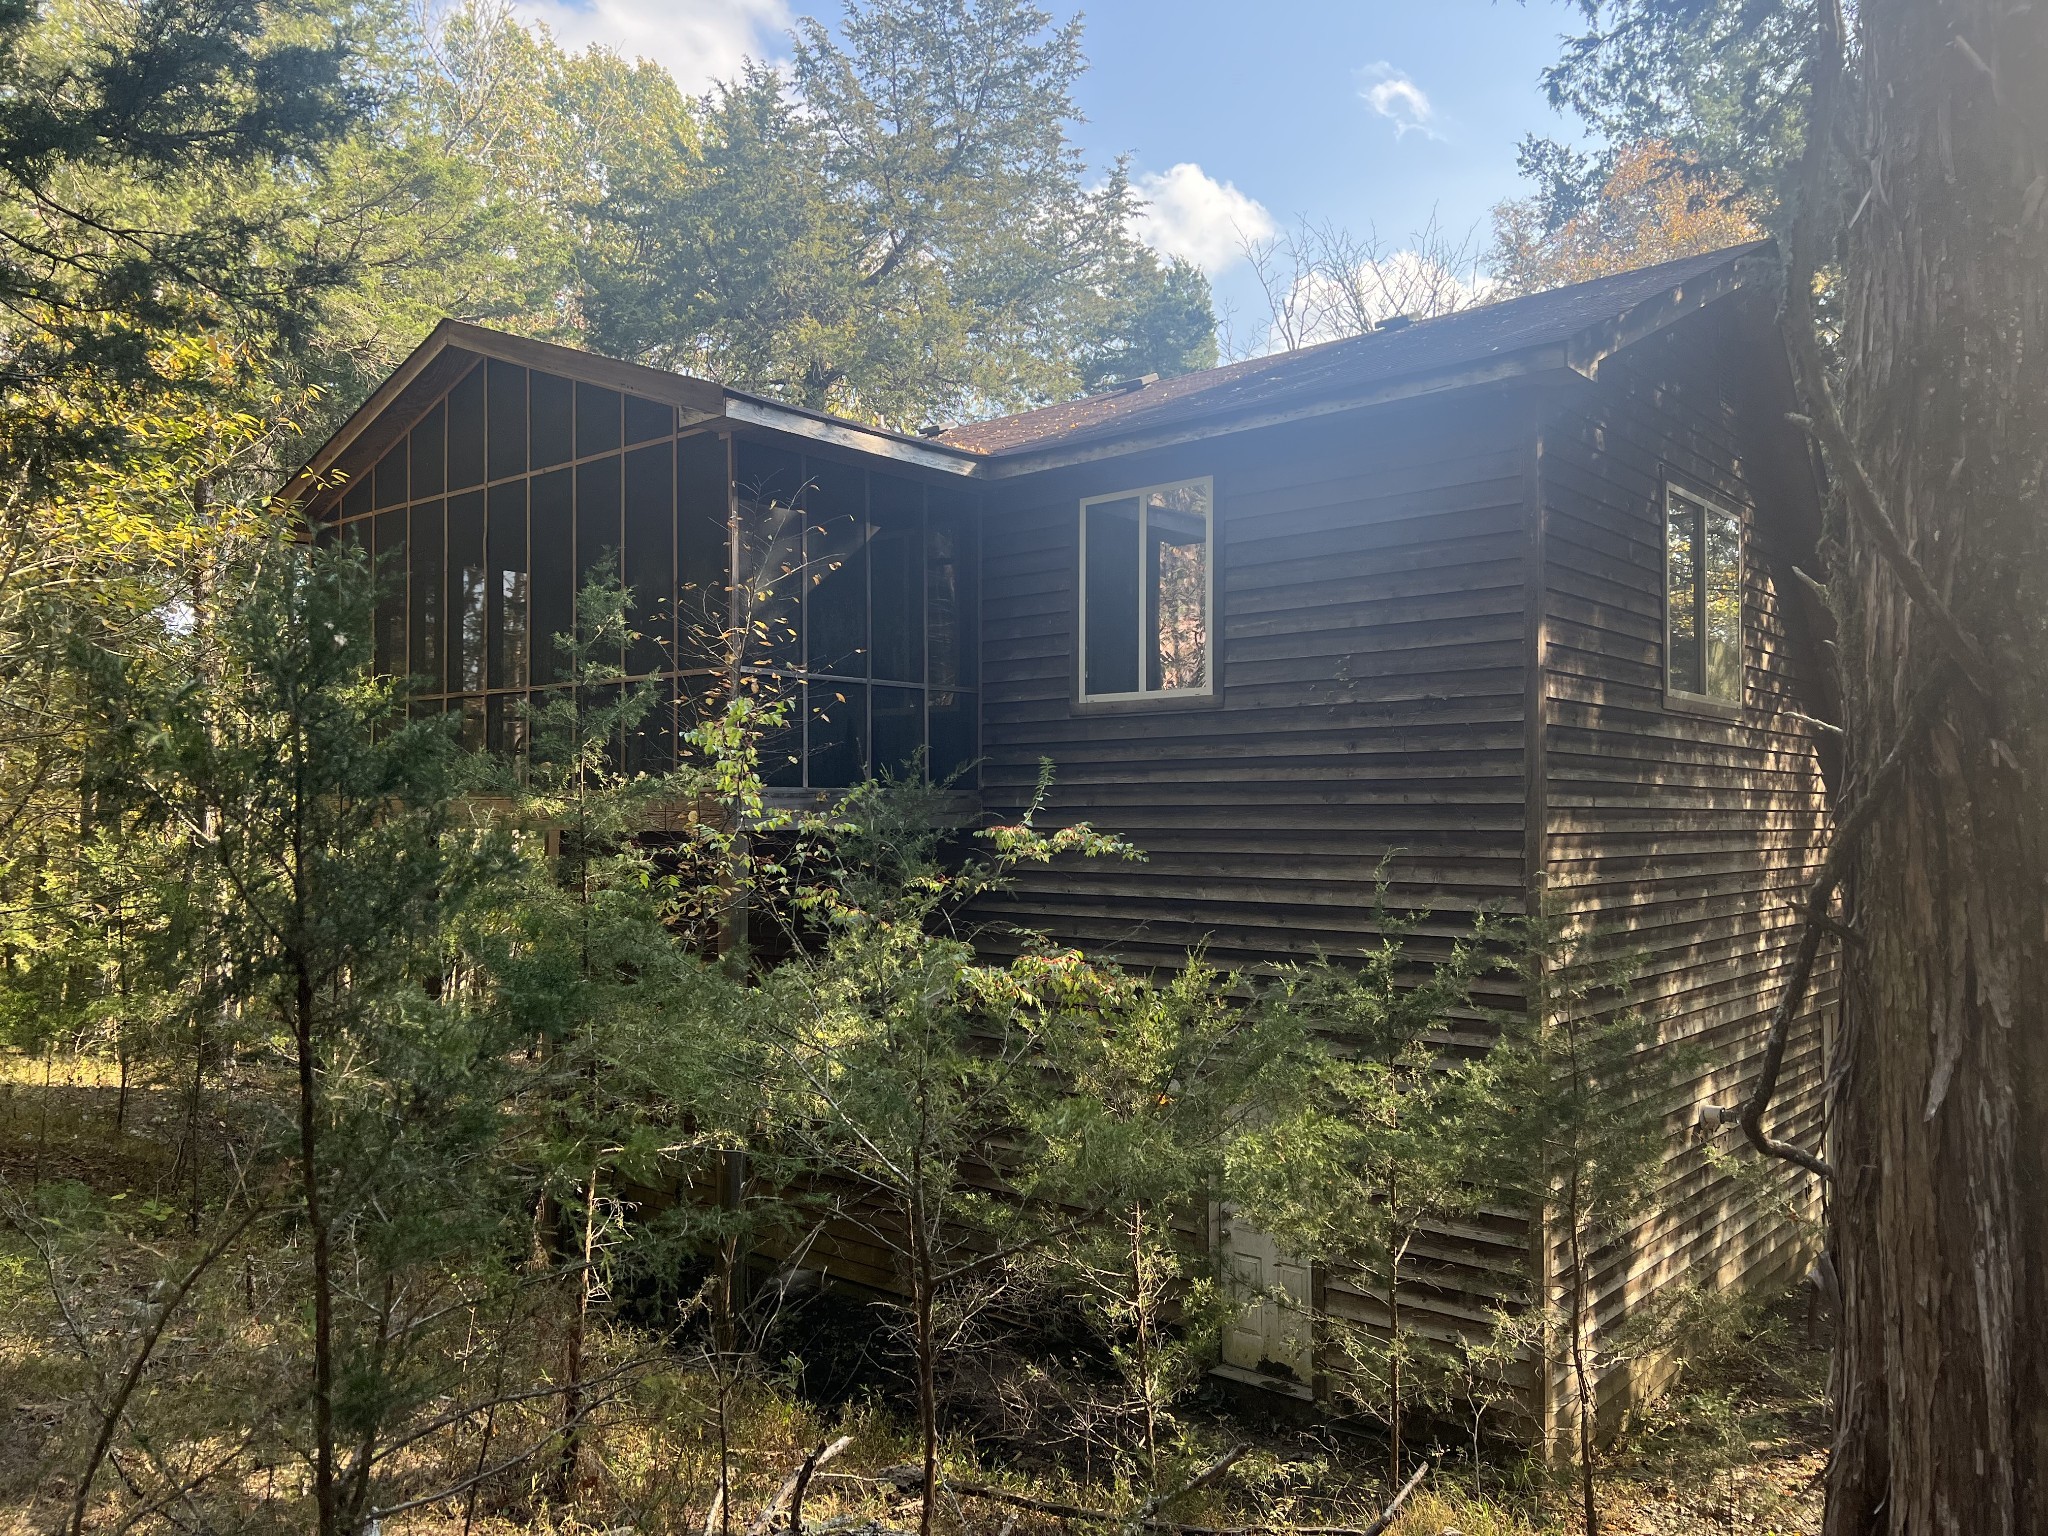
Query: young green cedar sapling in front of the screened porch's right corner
[{"x": 910, "y": 1068}]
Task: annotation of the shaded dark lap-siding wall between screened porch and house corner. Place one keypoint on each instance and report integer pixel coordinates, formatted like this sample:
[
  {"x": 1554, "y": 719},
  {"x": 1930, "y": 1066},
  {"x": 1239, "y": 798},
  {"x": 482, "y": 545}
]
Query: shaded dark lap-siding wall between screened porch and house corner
[{"x": 1371, "y": 693}]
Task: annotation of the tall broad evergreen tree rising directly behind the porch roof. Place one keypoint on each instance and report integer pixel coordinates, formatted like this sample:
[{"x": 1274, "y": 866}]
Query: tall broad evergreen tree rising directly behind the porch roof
[{"x": 900, "y": 230}]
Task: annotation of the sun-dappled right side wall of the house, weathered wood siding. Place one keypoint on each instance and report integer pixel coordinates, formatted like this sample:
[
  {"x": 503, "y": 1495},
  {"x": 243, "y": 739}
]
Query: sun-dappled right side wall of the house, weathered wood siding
[{"x": 1684, "y": 835}]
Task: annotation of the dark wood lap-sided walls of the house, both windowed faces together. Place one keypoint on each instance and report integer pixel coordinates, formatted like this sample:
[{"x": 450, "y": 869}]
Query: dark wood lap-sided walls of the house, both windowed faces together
[{"x": 1379, "y": 593}]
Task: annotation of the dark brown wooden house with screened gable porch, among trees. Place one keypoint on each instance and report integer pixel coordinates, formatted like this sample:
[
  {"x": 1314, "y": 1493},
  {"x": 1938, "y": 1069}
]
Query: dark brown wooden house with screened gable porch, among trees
[{"x": 1508, "y": 595}]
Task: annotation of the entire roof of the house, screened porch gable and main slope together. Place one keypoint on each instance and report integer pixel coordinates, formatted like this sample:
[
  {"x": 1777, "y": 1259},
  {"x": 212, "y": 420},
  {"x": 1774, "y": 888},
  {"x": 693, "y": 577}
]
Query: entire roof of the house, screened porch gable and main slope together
[{"x": 1566, "y": 329}]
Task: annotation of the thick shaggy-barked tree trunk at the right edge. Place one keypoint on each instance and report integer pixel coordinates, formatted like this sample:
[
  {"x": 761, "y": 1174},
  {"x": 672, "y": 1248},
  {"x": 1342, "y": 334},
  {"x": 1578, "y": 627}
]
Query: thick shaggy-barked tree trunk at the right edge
[{"x": 1938, "y": 1134}]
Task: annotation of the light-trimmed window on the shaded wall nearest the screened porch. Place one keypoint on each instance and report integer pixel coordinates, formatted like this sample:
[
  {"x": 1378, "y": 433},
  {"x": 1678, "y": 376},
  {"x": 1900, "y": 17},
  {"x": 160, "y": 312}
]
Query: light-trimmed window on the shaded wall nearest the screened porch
[{"x": 1148, "y": 593}]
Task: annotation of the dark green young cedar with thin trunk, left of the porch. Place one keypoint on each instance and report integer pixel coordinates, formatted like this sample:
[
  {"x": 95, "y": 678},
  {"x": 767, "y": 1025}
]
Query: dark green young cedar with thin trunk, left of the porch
[{"x": 333, "y": 871}]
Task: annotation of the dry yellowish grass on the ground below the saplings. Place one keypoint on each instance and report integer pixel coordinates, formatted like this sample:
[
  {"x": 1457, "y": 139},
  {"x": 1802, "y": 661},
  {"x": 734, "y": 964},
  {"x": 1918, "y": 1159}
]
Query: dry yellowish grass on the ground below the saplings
[{"x": 1740, "y": 1447}]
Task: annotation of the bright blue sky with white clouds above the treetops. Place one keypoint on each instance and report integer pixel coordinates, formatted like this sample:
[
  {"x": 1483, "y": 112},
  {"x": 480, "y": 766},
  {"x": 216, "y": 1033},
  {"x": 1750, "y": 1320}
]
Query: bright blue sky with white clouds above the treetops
[{"x": 1240, "y": 120}]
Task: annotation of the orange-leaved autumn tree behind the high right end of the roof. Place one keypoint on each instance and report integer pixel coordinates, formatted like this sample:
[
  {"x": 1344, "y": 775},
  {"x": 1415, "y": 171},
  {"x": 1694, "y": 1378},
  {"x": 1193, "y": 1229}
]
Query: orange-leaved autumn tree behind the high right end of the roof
[{"x": 1652, "y": 208}]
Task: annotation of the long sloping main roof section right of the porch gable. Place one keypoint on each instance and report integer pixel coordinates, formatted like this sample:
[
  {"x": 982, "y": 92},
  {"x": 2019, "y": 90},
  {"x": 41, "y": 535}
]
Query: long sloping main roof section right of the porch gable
[{"x": 1572, "y": 327}]
